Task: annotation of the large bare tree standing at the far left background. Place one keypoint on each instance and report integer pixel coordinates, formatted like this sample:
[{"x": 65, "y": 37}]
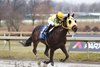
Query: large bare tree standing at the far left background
[{"x": 14, "y": 14}]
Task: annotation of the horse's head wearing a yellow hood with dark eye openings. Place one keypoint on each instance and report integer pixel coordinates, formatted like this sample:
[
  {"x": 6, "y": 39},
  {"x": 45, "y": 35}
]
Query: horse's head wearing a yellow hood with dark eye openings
[{"x": 70, "y": 23}]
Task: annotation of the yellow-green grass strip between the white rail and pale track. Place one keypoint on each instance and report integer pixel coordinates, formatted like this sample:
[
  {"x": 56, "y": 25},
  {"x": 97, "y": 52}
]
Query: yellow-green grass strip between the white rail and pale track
[{"x": 19, "y": 52}]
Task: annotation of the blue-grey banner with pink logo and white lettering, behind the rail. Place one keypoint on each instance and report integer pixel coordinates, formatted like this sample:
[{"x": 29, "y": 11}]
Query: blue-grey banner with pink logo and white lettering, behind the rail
[{"x": 83, "y": 46}]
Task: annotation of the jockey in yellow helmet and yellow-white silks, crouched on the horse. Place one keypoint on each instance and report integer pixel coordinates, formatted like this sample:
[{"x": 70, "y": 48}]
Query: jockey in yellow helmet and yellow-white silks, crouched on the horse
[{"x": 55, "y": 20}]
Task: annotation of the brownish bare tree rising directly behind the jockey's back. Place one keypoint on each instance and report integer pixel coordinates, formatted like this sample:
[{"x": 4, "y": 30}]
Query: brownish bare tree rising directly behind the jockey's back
[{"x": 43, "y": 9}]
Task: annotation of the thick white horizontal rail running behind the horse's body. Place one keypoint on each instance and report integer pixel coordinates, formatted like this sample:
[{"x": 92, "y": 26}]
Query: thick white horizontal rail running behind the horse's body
[{"x": 68, "y": 38}]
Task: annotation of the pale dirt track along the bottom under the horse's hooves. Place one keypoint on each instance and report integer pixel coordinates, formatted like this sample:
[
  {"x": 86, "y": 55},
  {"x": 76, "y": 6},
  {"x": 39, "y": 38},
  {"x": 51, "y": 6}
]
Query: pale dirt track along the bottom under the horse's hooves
[{"x": 16, "y": 63}]
